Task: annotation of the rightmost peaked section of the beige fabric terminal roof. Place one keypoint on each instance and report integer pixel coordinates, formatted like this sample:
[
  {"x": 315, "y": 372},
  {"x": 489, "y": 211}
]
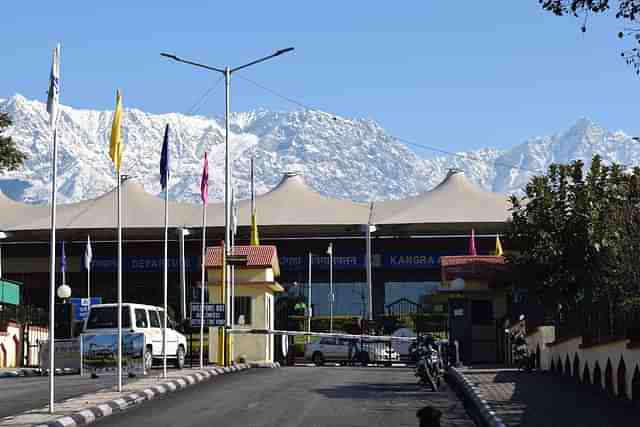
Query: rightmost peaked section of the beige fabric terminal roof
[{"x": 454, "y": 200}]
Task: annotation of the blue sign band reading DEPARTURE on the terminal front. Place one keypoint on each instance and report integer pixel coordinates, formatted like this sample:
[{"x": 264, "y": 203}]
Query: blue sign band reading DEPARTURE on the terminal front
[{"x": 144, "y": 264}]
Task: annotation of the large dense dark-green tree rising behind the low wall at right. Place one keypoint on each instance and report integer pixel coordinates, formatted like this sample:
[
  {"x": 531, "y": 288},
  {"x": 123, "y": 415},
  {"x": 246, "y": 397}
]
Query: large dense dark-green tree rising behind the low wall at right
[{"x": 579, "y": 236}]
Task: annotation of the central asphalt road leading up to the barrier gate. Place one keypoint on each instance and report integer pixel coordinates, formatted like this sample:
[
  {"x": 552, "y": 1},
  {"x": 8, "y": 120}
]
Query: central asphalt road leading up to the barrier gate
[{"x": 296, "y": 396}]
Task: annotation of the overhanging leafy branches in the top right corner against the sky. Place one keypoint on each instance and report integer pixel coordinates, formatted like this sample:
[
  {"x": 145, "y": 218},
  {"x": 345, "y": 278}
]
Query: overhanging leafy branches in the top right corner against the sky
[{"x": 628, "y": 11}]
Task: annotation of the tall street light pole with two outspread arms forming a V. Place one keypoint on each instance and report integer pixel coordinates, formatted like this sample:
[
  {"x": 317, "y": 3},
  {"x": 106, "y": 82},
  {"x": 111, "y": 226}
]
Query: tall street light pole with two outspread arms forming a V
[{"x": 227, "y": 165}]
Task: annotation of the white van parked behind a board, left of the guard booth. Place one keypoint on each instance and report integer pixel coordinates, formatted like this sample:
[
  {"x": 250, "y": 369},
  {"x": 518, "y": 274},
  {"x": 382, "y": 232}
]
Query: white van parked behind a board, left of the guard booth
[{"x": 141, "y": 318}]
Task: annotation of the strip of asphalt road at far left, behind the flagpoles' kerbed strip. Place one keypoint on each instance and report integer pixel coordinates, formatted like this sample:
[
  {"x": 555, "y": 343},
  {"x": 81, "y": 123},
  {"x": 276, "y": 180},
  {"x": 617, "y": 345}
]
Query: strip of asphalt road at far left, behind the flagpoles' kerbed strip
[{"x": 25, "y": 393}]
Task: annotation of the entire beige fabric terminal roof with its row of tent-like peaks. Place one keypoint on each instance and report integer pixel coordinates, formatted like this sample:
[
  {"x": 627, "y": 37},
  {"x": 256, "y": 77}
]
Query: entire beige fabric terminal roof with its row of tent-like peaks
[{"x": 291, "y": 203}]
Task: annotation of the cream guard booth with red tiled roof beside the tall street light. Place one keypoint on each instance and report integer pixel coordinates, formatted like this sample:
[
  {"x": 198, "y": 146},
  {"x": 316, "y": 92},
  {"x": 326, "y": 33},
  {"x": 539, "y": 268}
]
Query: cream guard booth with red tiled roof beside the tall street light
[{"x": 254, "y": 300}]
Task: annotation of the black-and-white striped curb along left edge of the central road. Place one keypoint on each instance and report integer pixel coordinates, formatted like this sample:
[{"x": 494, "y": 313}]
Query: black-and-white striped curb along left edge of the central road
[{"x": 110, "y": 407}]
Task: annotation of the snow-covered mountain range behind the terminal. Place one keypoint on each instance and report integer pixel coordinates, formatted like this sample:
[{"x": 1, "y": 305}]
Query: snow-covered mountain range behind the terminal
[{"x": 339, "y": 157}]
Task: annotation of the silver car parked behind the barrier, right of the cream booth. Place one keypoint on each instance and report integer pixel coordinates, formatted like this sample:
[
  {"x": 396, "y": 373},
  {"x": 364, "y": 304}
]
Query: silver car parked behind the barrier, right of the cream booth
[{"x": 333, "y": 349}]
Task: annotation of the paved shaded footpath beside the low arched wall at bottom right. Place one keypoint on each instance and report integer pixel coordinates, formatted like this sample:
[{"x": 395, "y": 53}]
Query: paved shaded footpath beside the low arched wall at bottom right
[{"x": 546, "y": 400}]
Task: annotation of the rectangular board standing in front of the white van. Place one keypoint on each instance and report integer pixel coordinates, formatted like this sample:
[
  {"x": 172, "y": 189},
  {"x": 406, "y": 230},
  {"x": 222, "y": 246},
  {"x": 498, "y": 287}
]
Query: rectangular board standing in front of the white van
[{"x": 100, "y": 353}]
